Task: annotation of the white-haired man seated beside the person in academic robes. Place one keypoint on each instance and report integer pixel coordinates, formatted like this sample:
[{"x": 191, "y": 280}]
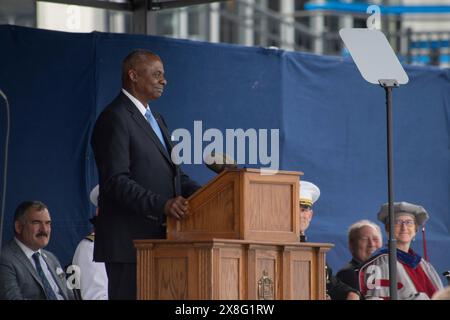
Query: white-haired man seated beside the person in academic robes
[{"x": 364, "y": 238}]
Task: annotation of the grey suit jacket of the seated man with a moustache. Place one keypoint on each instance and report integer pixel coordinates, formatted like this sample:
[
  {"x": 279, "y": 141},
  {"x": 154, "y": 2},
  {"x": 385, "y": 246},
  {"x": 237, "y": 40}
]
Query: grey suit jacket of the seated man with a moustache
[{"x": 19, "y": 279}]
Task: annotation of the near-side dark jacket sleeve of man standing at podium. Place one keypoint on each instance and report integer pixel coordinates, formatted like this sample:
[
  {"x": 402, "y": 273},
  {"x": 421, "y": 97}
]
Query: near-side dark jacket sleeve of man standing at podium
[{"x": 110, "y": 142}]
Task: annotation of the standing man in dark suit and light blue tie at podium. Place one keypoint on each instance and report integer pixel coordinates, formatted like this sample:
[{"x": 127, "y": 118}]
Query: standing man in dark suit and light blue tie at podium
[{"x": 139, "y": 183}]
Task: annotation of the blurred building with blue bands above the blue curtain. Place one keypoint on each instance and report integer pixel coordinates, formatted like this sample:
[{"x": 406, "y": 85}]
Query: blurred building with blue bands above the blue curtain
[{"x": 419, "y": 30}]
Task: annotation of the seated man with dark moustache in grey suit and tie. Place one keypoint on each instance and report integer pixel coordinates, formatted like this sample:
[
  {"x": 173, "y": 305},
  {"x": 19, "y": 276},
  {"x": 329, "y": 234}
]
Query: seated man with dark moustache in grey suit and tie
[{"x": 26, "y": 270}]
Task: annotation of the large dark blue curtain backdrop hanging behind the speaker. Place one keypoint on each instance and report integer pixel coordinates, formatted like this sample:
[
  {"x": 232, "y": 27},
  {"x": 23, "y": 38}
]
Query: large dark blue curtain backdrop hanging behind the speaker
[{"x": 332, "y": 126}]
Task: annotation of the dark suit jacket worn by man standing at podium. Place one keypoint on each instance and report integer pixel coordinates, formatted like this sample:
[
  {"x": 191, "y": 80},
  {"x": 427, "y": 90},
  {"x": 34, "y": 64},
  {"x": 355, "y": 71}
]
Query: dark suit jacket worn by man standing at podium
[{"x": 137, "y": 177}]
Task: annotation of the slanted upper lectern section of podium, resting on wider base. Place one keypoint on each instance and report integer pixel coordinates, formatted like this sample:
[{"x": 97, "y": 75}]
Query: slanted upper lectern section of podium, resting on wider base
[{"x": 242, "y": 204}]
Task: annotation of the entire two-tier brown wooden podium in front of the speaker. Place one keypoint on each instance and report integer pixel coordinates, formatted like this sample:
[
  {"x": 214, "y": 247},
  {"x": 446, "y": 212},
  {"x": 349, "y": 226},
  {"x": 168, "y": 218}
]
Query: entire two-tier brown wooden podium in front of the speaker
[{"x": 240, "y": 241}]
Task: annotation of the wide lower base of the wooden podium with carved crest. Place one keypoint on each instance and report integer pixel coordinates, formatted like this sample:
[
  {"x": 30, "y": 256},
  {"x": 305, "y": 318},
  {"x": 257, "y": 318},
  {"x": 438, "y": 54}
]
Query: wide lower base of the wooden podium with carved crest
[{"x": 230, "y": 269}]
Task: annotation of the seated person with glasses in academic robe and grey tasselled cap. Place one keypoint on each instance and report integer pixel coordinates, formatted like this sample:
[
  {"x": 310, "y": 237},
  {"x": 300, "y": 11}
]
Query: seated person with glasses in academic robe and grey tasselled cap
[{"x": 416, "y": 277}]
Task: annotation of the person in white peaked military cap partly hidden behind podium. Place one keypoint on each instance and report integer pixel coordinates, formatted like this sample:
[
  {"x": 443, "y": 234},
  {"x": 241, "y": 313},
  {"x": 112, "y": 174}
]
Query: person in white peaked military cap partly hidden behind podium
[{"x": 336, "y": 289}]
